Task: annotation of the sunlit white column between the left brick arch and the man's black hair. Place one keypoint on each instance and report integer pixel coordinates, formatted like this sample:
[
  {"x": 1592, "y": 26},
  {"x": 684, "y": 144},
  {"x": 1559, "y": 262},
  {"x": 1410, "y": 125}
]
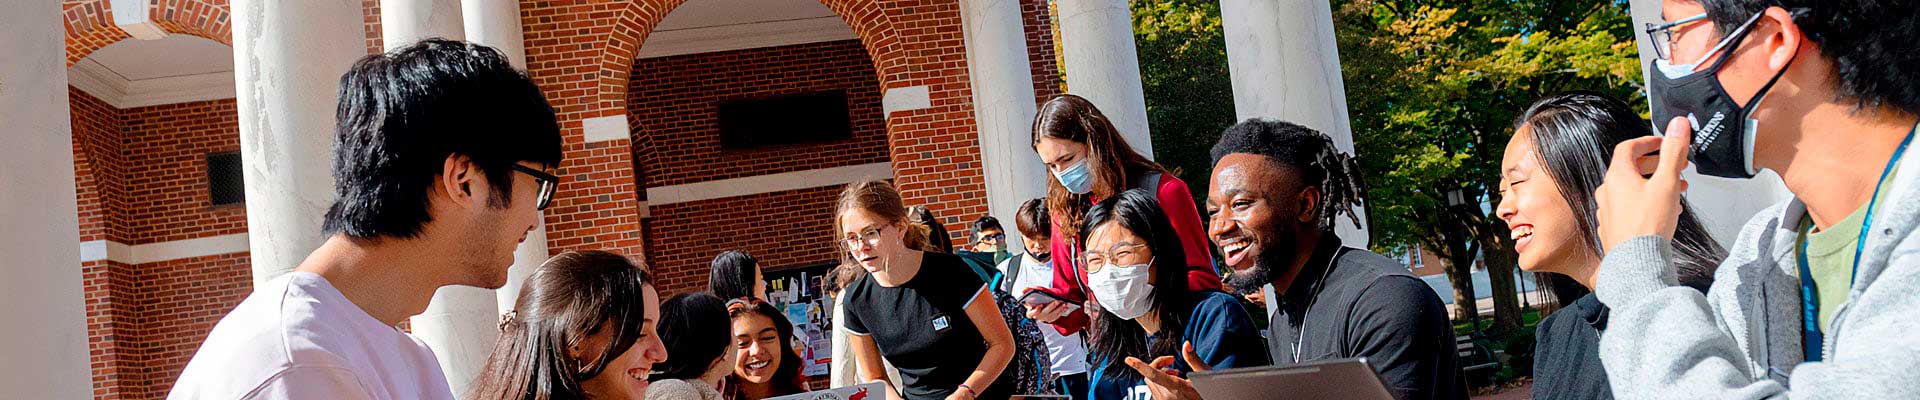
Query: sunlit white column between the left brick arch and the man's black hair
[{"x": 289, "y": 59}]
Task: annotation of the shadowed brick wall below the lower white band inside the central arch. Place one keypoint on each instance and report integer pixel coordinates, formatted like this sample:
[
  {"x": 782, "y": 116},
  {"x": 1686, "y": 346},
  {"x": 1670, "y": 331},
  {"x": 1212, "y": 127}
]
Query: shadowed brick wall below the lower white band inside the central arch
[{"x": 782, "y": 230}]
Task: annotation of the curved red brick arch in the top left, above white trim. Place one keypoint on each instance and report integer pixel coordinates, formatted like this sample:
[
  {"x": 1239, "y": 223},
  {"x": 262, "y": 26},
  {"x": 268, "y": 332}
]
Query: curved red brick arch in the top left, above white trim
[{"x": 91, "y": 24}]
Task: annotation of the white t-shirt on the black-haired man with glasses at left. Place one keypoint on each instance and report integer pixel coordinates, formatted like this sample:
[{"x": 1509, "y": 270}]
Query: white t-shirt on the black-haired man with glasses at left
[{"x": 299, "y": 337}]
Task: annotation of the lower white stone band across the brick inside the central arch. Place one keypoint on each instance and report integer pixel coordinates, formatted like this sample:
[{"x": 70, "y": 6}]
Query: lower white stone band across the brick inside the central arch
[{"x": 767, "y": 184}]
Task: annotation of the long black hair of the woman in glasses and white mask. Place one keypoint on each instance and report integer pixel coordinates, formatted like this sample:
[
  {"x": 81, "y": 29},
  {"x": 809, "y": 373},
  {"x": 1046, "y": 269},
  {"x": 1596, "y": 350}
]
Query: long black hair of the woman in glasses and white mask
[{"x": 1118, "y": 339}]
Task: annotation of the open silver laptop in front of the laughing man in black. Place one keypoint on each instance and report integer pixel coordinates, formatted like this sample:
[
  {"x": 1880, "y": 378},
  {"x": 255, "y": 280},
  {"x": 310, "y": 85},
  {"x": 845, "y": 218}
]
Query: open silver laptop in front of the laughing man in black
[{"x": 1330, "y": 380}]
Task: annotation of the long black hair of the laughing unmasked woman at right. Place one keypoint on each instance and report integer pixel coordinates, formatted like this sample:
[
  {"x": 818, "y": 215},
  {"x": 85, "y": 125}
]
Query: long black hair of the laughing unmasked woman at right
[{"x": 1573, "y": 137}]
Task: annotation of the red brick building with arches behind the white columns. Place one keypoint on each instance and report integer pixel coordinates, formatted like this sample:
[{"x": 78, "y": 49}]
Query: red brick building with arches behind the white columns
[{"x": 162, "y": 262}]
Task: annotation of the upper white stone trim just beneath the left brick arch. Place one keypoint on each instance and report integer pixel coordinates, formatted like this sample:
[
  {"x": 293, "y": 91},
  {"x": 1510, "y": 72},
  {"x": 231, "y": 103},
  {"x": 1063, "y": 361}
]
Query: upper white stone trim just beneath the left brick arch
[{"x": 120, "y": 93}]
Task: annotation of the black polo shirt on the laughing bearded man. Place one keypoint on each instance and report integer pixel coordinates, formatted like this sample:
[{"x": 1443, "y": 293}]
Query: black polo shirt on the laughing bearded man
[{"x": 1351, "y": 303}]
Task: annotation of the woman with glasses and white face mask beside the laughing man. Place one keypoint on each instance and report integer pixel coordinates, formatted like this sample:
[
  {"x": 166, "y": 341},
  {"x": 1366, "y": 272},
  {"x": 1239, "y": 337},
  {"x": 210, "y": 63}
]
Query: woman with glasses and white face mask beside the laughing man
[{"x": 1132, "y": 259}]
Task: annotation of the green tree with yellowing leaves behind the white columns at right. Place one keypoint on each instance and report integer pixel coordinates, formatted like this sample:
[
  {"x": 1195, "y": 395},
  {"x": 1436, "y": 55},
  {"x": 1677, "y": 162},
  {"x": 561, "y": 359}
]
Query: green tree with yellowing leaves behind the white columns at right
[{"x": 1433, "y": 89}]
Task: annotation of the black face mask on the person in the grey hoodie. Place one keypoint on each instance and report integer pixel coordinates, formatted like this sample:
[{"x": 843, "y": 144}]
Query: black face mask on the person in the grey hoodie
[{"x": 1723, "y": 136}]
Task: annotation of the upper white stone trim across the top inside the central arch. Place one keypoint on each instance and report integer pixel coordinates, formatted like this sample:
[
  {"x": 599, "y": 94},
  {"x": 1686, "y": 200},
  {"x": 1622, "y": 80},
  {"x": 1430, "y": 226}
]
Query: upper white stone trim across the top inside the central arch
[{"x": 746, "y": 36}]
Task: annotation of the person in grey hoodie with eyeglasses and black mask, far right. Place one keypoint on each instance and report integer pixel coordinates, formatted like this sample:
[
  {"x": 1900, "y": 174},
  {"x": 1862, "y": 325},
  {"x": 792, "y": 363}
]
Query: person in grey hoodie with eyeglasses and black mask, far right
[{"x": 1821, "y": 295}]
